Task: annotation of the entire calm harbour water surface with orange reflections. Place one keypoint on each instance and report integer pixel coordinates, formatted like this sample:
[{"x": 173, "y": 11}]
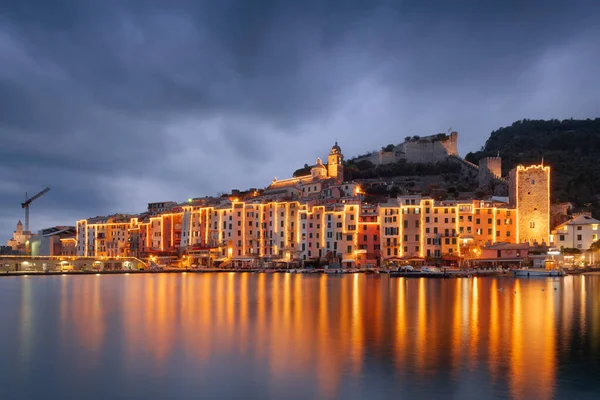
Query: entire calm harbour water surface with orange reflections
[{"x": 275, "y": 336}]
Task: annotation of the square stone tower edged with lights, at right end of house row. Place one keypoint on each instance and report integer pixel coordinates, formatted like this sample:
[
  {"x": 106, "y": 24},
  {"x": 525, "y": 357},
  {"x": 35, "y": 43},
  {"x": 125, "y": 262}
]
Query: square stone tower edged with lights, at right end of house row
[{"x": 529, "y": 192}]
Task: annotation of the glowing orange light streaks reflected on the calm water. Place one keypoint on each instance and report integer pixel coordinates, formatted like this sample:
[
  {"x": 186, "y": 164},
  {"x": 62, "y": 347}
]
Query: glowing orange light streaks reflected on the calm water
[{"x": 327, "y": 329}]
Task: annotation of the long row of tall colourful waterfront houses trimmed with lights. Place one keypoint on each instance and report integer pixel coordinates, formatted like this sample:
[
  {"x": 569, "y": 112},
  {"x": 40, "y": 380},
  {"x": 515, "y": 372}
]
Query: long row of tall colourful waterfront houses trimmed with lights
[{"x": 349, "y": 233}]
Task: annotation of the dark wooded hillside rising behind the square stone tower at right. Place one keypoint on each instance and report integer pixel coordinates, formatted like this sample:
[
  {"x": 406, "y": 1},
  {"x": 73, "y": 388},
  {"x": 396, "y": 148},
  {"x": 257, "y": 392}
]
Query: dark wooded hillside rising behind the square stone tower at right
[{"x": 570, "y": 147}]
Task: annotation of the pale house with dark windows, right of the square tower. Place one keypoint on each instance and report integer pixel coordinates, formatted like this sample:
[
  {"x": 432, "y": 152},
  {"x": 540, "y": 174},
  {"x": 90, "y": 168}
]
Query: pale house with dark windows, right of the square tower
[{"x": 578, "y": 233}]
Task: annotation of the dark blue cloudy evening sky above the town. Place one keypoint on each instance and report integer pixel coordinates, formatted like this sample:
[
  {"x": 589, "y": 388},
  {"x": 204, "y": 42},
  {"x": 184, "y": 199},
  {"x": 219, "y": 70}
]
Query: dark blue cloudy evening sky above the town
[{"x": 116, "y": 103}]
